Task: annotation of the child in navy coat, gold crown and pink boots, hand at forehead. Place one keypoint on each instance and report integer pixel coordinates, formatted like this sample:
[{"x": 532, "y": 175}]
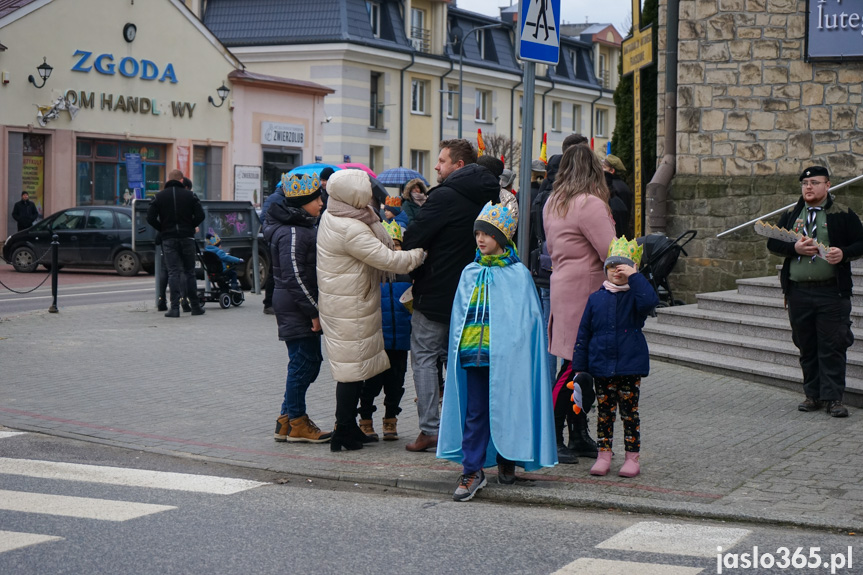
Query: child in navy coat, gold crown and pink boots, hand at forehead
[{"x": 611, "y": 347}]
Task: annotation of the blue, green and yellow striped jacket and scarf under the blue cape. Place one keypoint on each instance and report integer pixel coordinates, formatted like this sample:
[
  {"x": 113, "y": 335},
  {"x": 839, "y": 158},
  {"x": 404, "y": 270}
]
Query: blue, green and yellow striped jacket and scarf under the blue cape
[{"x": 473, "y": 346}]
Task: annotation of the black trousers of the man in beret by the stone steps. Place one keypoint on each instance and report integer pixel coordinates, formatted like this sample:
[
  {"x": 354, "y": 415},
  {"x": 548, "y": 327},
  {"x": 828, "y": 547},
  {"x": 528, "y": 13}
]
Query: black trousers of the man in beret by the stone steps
[{"x": 821, "y": 329}]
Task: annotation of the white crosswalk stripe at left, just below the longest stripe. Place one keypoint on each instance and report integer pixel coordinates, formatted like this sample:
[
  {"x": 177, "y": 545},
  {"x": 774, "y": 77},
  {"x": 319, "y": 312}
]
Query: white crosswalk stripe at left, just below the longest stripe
[{"x": 79, "y": 507}]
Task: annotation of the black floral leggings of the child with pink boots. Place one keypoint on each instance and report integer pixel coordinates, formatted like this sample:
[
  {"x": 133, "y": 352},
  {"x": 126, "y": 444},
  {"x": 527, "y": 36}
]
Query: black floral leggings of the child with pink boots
[{"x": 610, "y": 392}]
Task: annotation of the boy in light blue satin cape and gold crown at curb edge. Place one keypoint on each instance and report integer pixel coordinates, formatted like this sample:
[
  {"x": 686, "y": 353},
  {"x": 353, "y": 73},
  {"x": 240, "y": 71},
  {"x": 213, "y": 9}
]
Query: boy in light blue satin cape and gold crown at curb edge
[{"x": 497, "y": 398}]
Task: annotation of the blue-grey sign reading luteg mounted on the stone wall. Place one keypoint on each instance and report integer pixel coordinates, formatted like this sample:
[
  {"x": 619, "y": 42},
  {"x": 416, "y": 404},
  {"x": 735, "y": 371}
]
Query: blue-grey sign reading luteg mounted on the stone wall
[{"x": 834, "y": 31}]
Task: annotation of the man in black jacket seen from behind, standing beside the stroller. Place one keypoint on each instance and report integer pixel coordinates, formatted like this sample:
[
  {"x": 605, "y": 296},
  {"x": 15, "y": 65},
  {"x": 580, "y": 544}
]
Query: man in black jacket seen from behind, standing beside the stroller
[{"x": 176, "y": 212}]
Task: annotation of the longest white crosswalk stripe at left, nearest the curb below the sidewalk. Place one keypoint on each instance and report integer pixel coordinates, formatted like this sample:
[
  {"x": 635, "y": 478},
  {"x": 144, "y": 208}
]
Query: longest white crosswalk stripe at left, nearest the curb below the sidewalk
[{"x": 125, "y": 477}]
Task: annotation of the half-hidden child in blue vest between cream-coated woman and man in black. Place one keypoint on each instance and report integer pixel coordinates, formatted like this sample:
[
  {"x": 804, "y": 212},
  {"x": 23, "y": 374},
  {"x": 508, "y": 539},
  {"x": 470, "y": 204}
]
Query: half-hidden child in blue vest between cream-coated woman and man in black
[{"x": 396, "y": 319}]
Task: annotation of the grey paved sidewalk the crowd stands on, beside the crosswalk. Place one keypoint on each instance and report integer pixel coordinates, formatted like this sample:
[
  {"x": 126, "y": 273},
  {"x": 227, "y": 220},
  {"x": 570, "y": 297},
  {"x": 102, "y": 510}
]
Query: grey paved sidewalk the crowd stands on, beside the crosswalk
[{"x": 211, "y": 387}]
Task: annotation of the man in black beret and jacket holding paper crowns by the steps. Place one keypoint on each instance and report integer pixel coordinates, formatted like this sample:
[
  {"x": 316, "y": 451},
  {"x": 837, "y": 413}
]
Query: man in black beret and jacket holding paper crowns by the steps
[{"x": 817, "y": 286}]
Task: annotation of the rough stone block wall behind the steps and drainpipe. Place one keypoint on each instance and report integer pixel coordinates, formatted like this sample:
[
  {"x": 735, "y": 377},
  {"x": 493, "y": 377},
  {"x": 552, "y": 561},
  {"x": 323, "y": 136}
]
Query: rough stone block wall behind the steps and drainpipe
[{"x": 751, "y": 114}]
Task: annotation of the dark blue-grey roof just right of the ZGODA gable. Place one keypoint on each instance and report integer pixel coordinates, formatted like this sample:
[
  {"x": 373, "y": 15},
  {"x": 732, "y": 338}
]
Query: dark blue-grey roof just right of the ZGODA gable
[{"x": 280, "y": 22}]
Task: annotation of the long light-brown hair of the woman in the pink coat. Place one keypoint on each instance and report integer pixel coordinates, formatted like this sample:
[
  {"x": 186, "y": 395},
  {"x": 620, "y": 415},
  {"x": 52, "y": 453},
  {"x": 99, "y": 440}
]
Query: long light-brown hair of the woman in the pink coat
[{"x": 580, "y": 175}]
